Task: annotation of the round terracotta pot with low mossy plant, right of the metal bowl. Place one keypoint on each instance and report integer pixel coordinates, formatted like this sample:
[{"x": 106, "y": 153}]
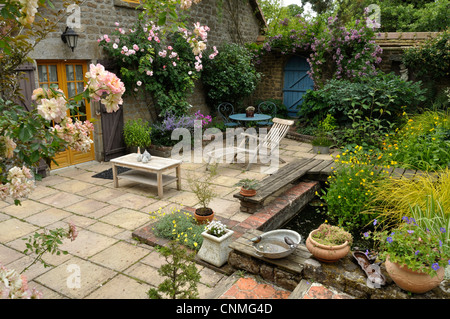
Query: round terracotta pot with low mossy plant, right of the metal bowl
[{"x": 329, "y": 243}]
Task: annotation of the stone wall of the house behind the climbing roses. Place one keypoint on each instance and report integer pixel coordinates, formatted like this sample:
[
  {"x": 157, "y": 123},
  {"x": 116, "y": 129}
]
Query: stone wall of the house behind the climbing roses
[{"x": 238, "y": 21}]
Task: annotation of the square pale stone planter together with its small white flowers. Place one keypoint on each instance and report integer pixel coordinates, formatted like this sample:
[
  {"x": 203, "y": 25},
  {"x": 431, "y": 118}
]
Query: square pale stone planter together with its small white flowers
[{"x": 215, "y": 246}]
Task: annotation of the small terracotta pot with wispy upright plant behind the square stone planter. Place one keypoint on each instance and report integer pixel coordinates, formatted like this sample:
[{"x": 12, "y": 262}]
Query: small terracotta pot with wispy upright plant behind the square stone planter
[{"x": 204, "y": 192}]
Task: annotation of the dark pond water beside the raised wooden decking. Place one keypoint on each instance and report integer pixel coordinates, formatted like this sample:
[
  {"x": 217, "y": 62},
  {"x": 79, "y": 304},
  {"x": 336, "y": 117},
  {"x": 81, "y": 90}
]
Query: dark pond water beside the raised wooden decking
[{"x": 310, "y": 218}]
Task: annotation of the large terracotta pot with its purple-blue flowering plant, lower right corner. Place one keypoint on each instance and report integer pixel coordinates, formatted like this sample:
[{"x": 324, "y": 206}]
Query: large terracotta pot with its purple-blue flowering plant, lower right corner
[{"x": 415, "y": 257}]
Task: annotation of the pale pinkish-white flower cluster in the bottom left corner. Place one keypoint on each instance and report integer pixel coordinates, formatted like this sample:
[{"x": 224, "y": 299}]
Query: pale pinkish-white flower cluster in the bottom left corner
[{"x": 15, "y": 286}]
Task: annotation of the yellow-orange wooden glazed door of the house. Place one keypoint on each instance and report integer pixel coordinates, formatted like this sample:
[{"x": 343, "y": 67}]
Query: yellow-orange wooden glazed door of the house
[{"x": 69, "y": 76}]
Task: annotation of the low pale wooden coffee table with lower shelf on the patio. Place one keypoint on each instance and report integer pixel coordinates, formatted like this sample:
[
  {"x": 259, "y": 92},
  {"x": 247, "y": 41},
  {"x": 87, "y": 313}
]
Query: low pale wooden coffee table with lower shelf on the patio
[{"x": 150, "y": 173}]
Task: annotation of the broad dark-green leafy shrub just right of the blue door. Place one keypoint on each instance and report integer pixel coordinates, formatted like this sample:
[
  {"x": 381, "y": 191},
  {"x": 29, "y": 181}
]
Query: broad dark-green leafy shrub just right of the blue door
[{"x": 365, "y": 110}]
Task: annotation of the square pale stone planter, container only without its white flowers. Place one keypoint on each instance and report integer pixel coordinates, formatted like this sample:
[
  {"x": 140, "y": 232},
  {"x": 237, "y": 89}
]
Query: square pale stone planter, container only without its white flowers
[{"x": 214, "y": 249}]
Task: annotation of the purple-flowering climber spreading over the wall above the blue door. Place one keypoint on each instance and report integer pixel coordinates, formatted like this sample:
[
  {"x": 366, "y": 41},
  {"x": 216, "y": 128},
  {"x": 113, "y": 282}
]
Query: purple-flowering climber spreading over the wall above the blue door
[{"x": 344, "y": 52}]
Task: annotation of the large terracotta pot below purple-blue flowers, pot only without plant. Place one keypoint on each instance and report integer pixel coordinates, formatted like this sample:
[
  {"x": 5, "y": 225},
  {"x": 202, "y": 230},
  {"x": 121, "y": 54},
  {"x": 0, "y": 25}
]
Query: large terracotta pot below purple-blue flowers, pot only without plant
[{"x": 413, "y": 281}]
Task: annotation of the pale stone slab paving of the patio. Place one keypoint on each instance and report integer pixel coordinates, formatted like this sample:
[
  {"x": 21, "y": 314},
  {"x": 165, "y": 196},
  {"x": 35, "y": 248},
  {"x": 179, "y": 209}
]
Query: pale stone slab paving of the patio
[{"x": 111, "y": 263}]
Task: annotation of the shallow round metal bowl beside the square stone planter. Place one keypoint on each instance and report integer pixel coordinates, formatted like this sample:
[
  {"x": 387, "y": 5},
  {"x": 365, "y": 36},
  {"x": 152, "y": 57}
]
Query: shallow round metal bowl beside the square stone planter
[{"x": 272, "y": 244}]
